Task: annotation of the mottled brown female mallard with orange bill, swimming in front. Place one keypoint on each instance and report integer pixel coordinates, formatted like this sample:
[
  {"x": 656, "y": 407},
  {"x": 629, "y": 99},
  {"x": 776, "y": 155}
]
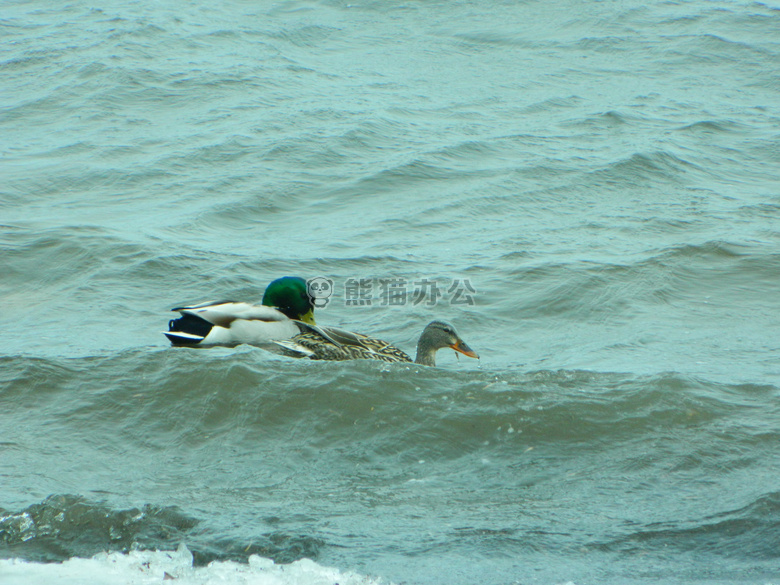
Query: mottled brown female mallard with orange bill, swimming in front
[{"x": 329, "y": 343}]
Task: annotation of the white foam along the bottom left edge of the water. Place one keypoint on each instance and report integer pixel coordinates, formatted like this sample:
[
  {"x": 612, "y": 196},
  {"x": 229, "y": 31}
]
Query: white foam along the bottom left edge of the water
[{"x": 174, "y": 567}]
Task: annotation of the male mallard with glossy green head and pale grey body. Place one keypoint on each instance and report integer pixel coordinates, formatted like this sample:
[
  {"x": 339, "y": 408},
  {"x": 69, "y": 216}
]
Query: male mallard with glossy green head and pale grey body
[{"x": 285, "y": 302}]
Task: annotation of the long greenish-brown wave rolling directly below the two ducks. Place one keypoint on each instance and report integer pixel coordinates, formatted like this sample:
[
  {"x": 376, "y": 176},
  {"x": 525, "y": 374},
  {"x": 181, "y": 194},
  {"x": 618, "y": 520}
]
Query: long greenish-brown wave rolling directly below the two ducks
[{"x": 187, "y": 398}]
